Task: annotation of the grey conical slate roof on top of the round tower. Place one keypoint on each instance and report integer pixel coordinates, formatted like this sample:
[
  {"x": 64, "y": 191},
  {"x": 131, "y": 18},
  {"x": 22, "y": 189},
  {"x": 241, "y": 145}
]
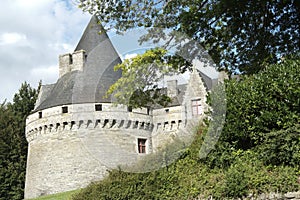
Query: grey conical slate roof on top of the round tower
[{"x": 91, "y": 84}]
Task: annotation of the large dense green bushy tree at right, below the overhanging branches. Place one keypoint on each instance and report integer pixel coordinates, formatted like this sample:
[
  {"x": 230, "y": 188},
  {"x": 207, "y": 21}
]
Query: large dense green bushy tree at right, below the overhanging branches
[{"x": 263, "y": 114}]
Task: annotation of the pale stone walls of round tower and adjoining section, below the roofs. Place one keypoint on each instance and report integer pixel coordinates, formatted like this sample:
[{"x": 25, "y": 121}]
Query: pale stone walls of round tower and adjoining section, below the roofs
[{"x": 69, "y": 150}]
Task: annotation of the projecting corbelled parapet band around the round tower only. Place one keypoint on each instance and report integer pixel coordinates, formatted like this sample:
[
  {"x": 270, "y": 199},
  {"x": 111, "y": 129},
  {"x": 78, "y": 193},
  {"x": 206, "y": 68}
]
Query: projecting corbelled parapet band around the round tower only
[{"x": 86, "y": 116}]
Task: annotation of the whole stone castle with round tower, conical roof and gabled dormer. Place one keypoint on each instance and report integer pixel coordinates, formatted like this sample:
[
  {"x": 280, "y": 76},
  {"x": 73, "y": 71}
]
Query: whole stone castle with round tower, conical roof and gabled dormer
[{"x": 75, "y": 134}]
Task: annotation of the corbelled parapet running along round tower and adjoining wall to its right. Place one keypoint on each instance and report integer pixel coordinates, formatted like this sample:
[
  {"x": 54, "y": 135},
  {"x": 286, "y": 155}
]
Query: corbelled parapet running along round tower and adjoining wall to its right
[{"x": 105, "y": 116}]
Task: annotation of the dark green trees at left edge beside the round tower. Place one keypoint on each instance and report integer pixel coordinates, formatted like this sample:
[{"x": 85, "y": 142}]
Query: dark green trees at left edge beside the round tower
[{"x": 13, "y": 144}]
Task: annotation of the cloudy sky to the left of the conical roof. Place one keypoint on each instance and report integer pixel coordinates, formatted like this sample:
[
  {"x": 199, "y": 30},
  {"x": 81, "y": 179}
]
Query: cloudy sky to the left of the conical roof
[{"x": 33, "y": 33}]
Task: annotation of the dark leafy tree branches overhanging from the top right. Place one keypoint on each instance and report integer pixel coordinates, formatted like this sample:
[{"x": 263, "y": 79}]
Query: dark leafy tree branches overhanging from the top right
[{"x": 238, "y": 35}]
